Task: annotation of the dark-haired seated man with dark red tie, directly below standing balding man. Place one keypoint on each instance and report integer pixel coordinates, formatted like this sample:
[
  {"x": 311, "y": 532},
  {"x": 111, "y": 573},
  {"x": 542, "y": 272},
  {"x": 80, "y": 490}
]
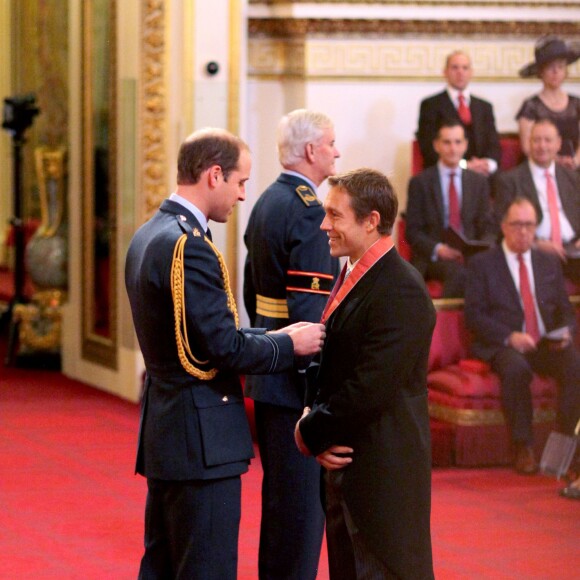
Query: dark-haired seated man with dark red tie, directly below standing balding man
[{"x": 447, "y": 195}]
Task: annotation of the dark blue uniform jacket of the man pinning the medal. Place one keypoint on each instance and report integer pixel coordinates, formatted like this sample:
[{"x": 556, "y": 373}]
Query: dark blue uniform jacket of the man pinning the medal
[{"x": 192, "y": 428}]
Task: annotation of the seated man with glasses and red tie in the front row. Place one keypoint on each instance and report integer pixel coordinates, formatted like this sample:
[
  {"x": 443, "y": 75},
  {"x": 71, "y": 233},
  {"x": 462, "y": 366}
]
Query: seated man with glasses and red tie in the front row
[{"x": 517, "y": 307}]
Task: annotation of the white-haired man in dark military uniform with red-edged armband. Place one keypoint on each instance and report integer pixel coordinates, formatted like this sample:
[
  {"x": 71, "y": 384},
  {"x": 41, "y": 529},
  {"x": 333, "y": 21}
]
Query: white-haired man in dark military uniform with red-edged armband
[{"x": 288, "y": 276}]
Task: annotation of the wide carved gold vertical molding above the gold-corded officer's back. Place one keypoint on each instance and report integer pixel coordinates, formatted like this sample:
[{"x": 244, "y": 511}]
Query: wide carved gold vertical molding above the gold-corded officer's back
[{"x": 153, "y": 105}]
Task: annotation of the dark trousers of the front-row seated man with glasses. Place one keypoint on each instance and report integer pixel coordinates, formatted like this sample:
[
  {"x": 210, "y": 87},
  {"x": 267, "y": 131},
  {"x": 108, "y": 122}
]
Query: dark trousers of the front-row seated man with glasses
[{"x": 516, "y": 371}]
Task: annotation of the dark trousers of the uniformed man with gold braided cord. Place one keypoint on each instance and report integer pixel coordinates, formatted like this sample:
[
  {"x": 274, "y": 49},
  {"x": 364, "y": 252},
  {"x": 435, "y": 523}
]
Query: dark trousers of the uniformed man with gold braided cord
[{"x": 191, "y": 529}]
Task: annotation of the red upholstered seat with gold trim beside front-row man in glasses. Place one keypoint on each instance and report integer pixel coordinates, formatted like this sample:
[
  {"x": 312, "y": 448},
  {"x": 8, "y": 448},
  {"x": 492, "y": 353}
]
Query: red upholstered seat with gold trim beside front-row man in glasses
[{"x": 465, "y": 395}]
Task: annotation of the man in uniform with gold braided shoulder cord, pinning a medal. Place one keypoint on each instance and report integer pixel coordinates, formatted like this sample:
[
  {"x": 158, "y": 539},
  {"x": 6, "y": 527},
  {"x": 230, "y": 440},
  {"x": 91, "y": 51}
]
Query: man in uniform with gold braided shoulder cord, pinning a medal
[{"x": 194, "y": 438}]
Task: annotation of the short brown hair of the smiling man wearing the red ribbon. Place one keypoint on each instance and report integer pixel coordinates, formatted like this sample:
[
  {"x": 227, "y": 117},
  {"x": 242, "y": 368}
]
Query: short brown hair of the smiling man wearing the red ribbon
[{"x": 369, "y": 190}]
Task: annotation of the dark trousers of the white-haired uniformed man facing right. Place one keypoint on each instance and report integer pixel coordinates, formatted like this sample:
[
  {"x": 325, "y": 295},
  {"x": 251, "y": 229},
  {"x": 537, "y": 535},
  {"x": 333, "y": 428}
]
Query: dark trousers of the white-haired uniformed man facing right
[{"x": 292, "y": 517}]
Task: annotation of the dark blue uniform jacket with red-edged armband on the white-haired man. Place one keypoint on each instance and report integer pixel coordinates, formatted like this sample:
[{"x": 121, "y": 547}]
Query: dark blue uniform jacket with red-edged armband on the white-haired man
[{"x": 288, "y": 260}]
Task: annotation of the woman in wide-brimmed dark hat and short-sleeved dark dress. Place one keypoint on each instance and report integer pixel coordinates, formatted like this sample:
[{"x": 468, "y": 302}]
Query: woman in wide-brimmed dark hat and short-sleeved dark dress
[{"x": 552, "y": 56}]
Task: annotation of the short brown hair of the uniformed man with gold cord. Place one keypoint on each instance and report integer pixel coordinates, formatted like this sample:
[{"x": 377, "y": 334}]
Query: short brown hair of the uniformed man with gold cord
[{"x": 204, "y": 149}]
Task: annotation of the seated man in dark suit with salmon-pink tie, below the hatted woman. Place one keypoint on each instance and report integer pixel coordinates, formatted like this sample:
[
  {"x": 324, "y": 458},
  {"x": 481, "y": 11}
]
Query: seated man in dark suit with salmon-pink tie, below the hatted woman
[{"x": 553, "y": 190}]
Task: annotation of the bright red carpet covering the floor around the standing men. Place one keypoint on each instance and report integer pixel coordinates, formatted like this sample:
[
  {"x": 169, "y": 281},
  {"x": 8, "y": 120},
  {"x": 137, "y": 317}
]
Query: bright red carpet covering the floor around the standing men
[{"x": 72, "y": 508}]
